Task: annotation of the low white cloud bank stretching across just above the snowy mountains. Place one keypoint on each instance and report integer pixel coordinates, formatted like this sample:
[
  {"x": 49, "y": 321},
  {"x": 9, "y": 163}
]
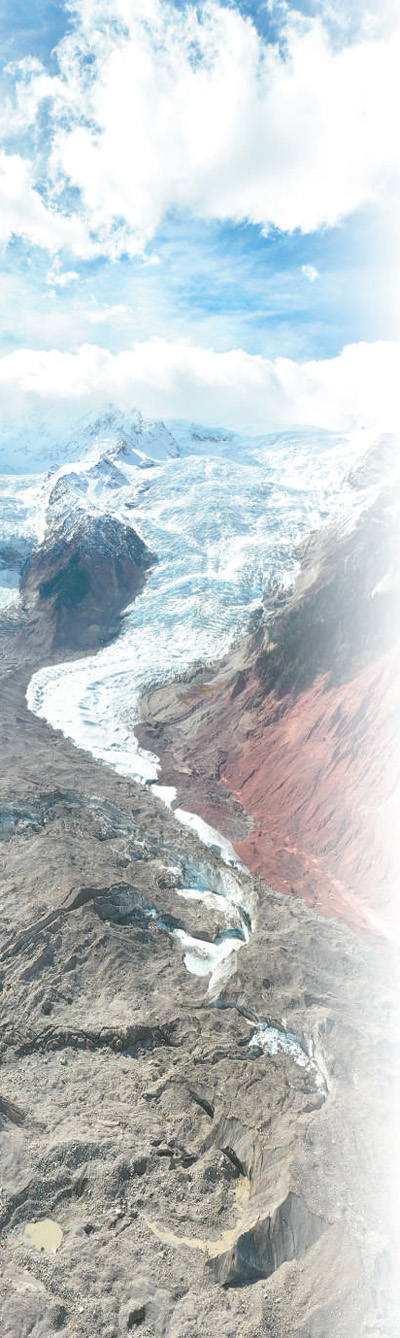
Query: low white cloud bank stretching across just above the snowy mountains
[{"x": 183, "y": 381}]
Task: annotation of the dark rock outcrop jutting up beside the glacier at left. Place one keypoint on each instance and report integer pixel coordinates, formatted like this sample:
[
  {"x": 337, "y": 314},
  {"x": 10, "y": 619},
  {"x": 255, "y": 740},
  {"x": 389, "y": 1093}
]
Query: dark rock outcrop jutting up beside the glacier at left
[{"x": 85, "y": 573}]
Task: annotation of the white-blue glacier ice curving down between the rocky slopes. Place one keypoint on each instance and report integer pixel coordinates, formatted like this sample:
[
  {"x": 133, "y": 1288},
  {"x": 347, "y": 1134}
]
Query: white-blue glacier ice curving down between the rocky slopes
[{"x": 223, "y": 517}]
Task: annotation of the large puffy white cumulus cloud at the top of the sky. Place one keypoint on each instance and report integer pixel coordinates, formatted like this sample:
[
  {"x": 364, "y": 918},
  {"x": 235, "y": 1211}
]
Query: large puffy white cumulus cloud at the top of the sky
[{"x": 157, "y": 109}]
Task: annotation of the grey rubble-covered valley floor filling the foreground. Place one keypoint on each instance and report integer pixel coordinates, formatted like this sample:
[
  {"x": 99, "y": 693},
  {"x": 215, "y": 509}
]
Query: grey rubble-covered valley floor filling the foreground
[{"x": 204, "y": 1183}]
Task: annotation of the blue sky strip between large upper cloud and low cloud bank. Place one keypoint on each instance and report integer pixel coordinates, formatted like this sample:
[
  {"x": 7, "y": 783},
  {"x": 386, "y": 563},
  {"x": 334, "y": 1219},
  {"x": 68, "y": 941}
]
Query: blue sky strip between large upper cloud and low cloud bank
[{"x": 225, "y": 284}]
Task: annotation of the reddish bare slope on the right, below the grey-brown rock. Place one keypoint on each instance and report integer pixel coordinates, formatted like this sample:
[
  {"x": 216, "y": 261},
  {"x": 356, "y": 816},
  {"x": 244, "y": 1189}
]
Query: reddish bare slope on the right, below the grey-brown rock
[{"x": 319, "y": 775}]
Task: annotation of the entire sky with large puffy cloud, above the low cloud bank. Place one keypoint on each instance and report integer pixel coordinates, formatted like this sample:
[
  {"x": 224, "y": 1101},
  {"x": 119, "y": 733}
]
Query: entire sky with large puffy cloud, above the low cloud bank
[{"x": 219, "y": 175}]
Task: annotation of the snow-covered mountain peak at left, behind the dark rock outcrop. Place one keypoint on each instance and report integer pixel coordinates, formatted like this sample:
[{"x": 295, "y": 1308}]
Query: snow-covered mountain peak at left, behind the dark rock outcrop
[{"x": 60, "y": 474}]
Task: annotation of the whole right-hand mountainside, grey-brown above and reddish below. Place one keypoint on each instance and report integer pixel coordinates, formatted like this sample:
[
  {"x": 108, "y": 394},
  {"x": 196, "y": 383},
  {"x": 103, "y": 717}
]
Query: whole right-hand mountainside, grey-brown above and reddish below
[{"x": 300, "y": 727}]
